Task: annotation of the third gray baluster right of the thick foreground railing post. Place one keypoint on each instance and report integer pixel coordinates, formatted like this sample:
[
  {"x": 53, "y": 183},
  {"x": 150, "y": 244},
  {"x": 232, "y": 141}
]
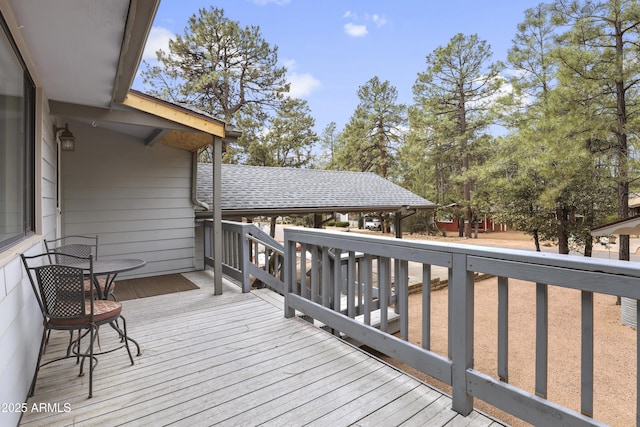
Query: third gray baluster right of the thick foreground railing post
[{"x": 586, "y": 392}]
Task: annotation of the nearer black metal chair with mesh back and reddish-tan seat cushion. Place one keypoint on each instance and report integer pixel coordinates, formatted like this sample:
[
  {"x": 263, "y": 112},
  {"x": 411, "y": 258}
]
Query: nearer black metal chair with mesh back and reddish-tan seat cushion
[{"x": 60, "y": 291}]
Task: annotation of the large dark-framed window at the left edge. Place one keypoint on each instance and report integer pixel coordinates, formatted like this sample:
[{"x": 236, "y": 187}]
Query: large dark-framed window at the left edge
[{"x": 17, "y": 139}]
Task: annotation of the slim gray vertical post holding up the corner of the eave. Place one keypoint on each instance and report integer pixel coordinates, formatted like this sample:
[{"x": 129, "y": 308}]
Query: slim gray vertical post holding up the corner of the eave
[{"x": 217, "y": 215}]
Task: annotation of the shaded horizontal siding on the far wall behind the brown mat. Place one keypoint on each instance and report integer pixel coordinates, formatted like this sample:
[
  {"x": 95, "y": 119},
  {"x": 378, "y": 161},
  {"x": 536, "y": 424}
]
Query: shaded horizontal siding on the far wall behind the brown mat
[{"x": 136, "y": 198}]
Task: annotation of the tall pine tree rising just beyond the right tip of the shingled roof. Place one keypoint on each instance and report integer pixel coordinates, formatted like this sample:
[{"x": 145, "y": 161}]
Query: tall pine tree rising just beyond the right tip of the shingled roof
[{"x": 454, "y": 97}]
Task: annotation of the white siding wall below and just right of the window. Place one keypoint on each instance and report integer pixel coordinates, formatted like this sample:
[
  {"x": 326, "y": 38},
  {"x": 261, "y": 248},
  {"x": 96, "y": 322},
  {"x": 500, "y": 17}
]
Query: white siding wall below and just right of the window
[{"x": 20, "y": 318}]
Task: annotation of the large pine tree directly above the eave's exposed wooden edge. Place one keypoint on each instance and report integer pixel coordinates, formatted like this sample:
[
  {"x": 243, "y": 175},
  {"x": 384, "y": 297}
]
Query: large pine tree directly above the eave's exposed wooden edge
[{"x": 218, "y": 67}]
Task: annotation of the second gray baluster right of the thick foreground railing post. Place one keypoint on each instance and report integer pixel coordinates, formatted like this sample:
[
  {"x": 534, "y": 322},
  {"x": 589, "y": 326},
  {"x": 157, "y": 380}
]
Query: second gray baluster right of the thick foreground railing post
[{"x": 542, "y": 339}]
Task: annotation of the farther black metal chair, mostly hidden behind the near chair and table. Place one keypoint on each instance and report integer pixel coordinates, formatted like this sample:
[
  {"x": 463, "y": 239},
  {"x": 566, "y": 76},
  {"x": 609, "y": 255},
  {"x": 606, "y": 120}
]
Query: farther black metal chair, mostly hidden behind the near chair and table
[{"x": 78, "y": 246}]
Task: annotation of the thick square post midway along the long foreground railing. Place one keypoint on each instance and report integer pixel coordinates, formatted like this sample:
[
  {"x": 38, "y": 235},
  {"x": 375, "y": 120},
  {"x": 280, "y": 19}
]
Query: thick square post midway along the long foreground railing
[{"x": 461, "y": 326}]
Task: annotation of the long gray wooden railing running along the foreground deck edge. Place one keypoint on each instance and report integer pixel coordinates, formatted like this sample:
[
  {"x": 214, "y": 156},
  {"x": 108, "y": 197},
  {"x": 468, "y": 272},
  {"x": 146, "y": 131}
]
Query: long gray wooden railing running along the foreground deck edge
[{"x": 315, "y": 294}]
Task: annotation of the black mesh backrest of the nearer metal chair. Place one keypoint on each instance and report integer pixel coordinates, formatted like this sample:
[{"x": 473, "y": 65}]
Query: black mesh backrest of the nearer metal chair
[{"x": 59, "y": 288}]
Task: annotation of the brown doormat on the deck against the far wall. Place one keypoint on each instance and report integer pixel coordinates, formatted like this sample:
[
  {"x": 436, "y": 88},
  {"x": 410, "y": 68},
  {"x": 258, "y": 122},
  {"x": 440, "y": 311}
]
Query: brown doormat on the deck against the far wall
[{"x": 152, "y": 286}]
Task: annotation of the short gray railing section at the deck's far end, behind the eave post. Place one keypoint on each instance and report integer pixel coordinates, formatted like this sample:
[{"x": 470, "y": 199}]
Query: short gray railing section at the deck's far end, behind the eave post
[{"x": 248, "y": 254}]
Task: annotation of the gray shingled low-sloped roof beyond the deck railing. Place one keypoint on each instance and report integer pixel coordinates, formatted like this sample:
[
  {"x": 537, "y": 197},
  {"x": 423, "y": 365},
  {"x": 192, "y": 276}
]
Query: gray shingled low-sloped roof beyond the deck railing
[{"x": 269, "y": 191}]
